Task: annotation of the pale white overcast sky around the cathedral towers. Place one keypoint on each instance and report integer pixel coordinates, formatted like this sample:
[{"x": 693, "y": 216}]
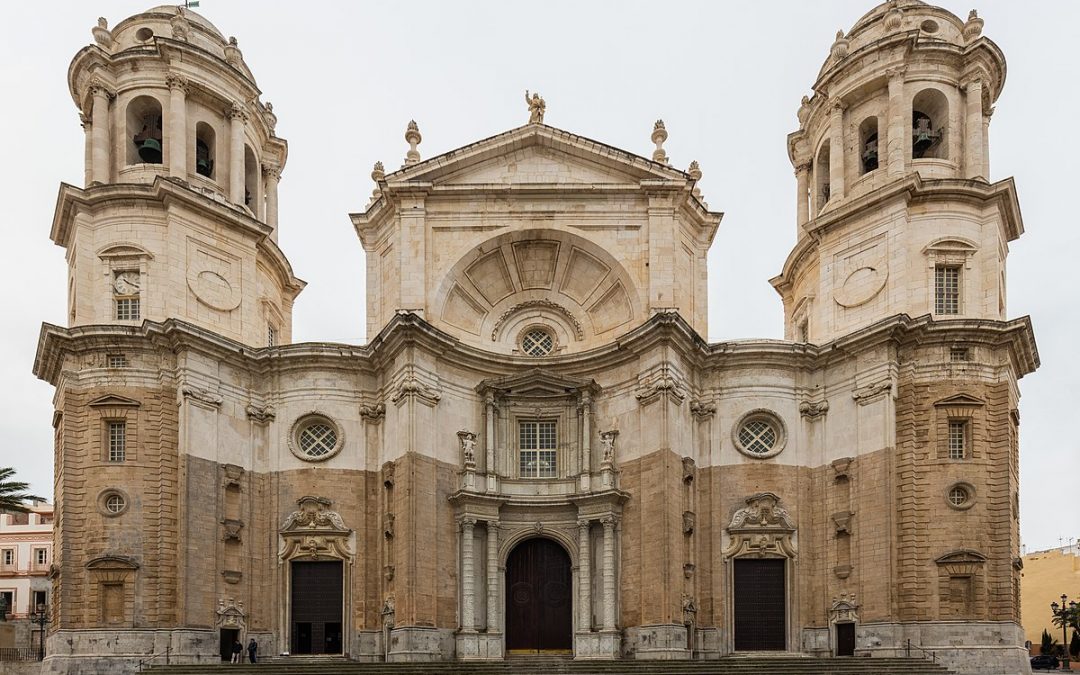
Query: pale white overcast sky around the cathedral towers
[{"x": 726, "y": 78}]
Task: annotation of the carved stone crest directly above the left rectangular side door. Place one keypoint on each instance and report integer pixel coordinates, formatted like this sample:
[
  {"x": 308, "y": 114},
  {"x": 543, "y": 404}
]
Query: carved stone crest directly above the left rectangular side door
[{"x": 316, "y": 533}]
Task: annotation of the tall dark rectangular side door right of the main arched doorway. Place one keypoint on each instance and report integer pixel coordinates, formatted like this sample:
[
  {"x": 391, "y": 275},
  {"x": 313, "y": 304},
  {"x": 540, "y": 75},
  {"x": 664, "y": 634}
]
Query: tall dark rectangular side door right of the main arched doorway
[{"x": 761, "y": 611}]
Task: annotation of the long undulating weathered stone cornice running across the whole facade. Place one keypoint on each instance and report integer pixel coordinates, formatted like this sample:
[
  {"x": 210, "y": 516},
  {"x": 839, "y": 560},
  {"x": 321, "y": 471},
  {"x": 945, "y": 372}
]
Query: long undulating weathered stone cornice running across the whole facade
[{"x": 407, "y": 331}]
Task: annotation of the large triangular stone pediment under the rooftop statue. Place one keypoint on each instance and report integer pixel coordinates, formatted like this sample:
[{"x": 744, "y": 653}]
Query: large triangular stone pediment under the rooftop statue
[{"x": 539, "y": 155}]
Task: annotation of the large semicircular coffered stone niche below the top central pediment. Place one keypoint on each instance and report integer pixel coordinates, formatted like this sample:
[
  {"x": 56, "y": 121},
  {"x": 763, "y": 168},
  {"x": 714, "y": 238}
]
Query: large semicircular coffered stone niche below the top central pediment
[{"x": 534, "y": 279}]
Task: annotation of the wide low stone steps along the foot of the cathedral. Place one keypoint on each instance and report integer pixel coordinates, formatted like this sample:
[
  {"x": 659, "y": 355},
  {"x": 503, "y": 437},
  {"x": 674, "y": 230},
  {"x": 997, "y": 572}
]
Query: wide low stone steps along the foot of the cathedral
[{"x": 731, "y": 666}]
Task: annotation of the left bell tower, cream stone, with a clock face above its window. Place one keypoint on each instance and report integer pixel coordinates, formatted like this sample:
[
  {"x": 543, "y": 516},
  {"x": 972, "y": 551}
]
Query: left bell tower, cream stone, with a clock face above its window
[{"x": 179, "y": 214}]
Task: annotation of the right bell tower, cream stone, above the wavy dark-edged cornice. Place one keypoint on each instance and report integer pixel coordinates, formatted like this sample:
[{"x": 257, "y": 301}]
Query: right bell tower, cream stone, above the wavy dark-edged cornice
[{"x": 896, "y": 211}]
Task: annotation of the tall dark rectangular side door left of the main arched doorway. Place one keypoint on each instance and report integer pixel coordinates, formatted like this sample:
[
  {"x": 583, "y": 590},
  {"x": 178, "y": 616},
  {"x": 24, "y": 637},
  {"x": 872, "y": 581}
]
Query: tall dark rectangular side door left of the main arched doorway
[{"x": 317, "y": 600}]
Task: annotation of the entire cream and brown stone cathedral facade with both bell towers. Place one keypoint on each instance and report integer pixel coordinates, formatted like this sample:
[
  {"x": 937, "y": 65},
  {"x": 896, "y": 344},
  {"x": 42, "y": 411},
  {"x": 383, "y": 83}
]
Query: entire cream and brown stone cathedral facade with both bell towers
[{"x": 538, "y": 452}]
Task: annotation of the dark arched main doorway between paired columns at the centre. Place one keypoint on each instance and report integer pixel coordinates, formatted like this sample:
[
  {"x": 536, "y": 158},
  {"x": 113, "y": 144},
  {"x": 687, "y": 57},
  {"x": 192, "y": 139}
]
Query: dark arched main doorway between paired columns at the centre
[{"x": 539, "y": 605}]
